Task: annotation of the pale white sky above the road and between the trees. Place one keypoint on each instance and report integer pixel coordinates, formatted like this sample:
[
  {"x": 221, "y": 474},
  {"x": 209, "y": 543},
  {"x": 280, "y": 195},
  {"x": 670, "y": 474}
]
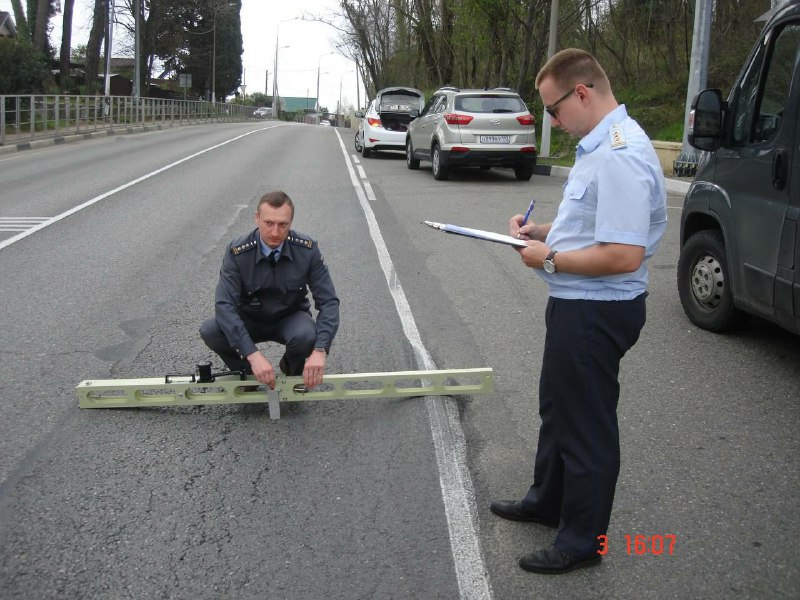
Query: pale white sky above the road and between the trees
[{"x": 303, "y": 48}]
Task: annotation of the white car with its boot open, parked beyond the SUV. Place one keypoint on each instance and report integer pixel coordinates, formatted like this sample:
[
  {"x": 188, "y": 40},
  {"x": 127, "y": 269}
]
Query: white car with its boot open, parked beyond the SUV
[{"x": 383, "y": 126}]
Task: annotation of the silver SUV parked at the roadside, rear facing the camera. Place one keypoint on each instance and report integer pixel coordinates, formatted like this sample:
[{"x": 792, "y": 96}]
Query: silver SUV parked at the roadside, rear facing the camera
[{"x": 473, "y": 128}]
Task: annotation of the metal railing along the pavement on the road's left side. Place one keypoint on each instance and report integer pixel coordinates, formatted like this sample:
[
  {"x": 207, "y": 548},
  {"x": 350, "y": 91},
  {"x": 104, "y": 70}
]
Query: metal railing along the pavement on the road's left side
[{"x": 32, "y": 117}]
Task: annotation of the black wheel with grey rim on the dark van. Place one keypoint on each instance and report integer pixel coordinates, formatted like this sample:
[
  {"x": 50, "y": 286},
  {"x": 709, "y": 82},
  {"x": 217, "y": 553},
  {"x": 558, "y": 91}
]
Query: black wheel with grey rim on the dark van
[{"x": 704, "y": 283}]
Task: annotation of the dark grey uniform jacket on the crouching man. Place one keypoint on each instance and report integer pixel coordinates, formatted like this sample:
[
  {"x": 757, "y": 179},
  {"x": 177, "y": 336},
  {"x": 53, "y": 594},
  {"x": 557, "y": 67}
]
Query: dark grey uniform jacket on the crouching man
[{"x": 251, "y": 288}]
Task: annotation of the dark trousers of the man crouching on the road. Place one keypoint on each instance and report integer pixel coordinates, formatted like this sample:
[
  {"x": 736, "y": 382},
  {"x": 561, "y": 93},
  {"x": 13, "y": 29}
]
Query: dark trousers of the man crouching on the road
[{"x": 297, "y": 332}]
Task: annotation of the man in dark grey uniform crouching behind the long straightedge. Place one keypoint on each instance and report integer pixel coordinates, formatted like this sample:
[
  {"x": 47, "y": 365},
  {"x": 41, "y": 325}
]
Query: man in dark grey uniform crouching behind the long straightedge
[{"x": 262, "y": 296}]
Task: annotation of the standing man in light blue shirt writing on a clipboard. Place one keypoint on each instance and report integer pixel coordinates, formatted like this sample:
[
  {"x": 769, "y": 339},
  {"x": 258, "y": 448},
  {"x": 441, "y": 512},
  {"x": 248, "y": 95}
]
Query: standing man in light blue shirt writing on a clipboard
[{"x": 592, "y": 257}]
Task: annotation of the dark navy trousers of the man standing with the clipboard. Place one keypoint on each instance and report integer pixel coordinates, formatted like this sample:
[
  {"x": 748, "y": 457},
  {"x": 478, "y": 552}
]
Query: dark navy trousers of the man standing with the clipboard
[{"x": 578, "y": 457}]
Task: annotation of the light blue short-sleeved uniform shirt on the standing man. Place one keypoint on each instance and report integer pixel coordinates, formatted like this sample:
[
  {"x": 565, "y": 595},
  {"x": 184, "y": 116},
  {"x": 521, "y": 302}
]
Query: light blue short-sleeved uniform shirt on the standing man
[{"x": 615, "y": 193}]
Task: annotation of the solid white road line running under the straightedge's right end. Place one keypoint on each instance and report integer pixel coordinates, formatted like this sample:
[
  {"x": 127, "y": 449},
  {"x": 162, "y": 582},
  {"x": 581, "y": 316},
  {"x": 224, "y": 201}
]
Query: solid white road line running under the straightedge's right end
[{"x": 448, "y": 437}]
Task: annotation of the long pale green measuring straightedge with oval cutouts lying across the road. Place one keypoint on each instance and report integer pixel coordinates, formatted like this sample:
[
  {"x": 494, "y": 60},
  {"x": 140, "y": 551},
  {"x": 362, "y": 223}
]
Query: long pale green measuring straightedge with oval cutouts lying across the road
[{"x": 187, "y": 390}]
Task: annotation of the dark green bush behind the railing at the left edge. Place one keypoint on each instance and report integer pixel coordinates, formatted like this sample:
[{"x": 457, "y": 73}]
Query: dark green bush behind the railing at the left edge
[{"x": 23, "y": 69}]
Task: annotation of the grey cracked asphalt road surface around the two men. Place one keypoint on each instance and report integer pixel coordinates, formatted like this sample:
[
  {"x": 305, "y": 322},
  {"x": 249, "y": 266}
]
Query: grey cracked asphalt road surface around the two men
[{"x": 359, "y": 498}]
